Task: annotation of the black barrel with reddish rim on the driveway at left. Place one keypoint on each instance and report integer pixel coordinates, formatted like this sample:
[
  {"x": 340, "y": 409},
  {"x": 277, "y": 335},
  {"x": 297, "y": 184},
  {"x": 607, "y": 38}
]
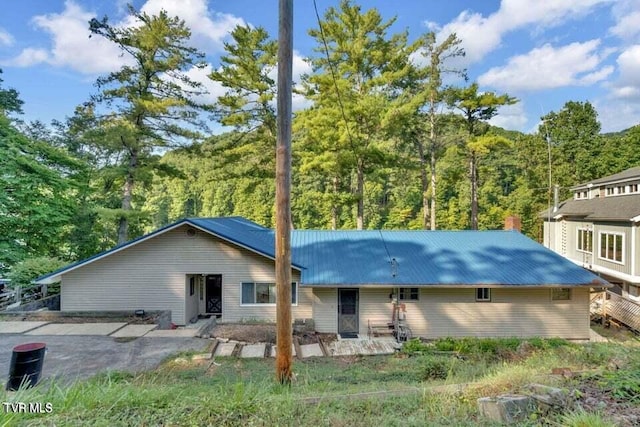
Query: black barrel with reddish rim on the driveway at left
[{"x": 26, "y": 365}]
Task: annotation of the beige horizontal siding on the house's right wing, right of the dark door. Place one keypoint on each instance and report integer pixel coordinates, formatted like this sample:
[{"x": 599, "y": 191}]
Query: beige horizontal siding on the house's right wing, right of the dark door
[{"x": 512, "y": 312}]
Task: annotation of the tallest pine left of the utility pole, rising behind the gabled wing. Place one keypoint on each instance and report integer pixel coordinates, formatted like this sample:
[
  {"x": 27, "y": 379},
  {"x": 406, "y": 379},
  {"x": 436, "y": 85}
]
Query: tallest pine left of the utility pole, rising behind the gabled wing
[{"x": 151, "y": 102}]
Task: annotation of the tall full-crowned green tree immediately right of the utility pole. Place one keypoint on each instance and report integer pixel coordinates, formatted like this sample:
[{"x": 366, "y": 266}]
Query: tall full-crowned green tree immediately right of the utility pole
[{"x": 354, "y": 85}]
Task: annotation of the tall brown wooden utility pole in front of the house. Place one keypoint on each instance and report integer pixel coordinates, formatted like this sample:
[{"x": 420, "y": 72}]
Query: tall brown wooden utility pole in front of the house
[{"x": 283, "y": 194}]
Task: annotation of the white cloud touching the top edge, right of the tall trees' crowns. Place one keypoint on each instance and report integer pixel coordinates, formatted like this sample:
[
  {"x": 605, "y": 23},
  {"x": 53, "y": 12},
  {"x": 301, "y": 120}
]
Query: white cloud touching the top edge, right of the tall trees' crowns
[{"x": 481, "y": 35}]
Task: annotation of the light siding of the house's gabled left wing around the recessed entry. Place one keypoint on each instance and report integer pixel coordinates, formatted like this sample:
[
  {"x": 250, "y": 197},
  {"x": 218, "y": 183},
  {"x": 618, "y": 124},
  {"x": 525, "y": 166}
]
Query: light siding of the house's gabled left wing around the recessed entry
[{"x": 152, "y": 275}]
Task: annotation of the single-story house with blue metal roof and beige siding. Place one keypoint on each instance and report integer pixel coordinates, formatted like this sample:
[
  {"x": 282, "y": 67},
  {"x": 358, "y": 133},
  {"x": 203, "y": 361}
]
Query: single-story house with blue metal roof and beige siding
[{"x": 441, "y": 283}]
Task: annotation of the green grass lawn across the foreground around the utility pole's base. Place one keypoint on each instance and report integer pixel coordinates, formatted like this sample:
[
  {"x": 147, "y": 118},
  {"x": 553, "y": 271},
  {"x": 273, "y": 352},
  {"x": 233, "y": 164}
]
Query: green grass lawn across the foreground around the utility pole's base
[{"x": 356, "y": 391}]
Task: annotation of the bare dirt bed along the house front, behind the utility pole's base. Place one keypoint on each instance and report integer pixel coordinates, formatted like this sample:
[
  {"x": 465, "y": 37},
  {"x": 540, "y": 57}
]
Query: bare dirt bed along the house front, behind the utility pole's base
[{"x": 263, "y": 332}]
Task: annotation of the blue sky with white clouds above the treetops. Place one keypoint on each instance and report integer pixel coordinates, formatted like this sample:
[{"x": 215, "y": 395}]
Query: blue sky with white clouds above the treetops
[{"x": 543, "y": 52}]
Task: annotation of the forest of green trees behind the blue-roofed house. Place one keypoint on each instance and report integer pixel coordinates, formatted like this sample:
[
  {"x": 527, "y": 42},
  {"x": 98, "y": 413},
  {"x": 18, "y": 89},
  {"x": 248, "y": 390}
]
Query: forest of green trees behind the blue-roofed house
[{"x": 383, "y": 143}]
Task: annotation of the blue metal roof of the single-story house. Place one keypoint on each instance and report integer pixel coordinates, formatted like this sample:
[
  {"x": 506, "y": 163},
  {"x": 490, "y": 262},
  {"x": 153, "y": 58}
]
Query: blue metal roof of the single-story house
[{"x": 422, "y": 258}]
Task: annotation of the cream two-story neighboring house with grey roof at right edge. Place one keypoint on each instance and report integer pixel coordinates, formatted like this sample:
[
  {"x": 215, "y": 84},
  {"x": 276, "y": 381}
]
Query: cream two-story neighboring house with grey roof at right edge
[{"x": 598, "y": 229}]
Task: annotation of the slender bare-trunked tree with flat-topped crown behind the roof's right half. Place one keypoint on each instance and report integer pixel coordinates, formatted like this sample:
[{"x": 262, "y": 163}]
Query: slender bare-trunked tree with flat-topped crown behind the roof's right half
[{"x": 476, "y": 109}]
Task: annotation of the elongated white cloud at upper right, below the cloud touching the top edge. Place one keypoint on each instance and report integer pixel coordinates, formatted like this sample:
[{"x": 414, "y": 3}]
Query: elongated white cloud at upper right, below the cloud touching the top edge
[{"x": 548, "y": 67}]
